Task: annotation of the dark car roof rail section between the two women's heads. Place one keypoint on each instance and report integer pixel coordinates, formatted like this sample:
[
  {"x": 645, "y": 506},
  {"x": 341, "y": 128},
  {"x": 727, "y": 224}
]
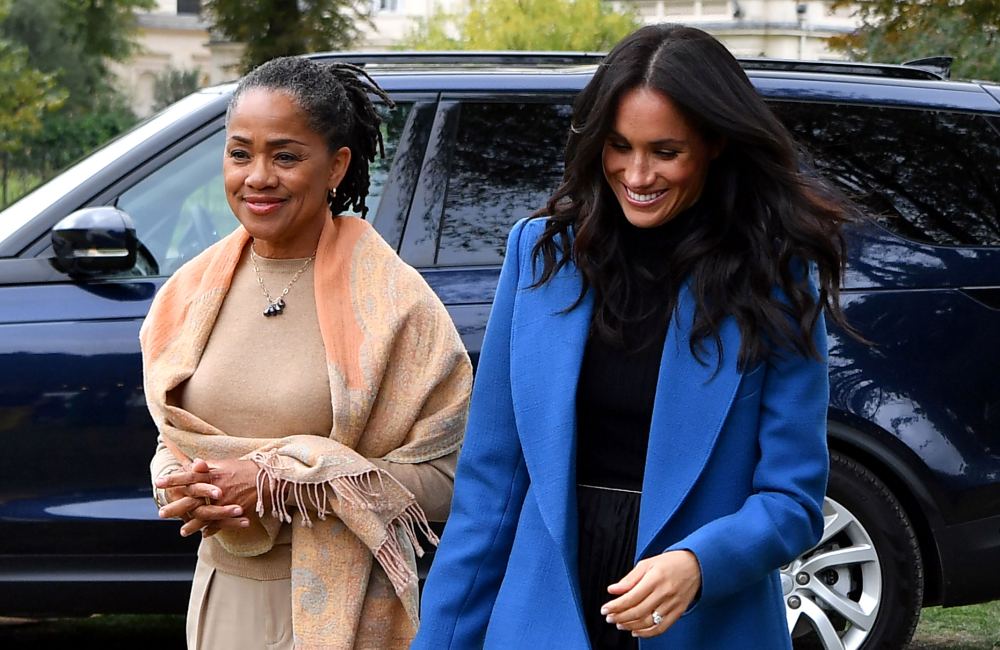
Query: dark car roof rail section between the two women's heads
[{"x": 462, "y": 58}]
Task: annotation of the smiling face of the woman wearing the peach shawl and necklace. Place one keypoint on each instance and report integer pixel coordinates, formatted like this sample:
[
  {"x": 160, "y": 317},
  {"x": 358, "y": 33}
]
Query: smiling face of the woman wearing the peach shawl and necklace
[{"x": 277, "y": 172}]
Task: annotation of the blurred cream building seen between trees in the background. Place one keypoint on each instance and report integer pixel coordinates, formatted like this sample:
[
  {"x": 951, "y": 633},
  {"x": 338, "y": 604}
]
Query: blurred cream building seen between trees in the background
[{"x": 174, "y": 36}]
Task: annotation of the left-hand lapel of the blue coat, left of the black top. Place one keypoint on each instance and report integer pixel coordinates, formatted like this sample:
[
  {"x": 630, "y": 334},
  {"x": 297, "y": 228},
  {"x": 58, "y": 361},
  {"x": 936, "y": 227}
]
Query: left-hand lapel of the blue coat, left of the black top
[{"x": 546, "y": 354}]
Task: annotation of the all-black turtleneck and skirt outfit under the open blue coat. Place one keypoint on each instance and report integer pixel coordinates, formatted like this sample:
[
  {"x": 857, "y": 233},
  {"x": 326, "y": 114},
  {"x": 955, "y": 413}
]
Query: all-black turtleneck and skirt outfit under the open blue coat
[{"x": 614, "y": 406}]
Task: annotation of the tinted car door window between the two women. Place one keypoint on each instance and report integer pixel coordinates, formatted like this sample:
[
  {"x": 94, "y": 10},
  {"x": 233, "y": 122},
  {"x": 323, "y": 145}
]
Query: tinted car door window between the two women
[{"x": 508, "y": 159}]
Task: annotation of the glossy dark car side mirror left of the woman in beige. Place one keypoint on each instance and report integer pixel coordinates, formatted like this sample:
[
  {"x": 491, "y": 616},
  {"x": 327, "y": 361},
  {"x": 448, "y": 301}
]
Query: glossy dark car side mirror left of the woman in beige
[{"x": 94, "y": 241}]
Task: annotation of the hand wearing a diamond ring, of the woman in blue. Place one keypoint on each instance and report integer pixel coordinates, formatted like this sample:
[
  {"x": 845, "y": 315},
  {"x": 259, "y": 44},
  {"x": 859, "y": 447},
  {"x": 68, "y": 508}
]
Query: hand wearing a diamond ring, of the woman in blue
[{"x": 654, "y": 594}]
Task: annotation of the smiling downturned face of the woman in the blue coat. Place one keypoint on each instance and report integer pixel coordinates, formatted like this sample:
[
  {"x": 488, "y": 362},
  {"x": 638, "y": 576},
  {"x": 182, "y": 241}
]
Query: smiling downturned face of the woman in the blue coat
[{"x": 654, "y": 159}]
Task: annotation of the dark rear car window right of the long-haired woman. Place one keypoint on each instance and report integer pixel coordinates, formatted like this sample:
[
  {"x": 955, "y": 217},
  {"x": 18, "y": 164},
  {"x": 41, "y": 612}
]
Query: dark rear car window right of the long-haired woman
[{"x": 930, "y": 176}]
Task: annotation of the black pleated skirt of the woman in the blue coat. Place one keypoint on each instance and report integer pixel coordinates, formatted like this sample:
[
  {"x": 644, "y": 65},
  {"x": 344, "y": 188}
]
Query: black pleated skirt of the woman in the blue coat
[{"x": 609, "y": 524}]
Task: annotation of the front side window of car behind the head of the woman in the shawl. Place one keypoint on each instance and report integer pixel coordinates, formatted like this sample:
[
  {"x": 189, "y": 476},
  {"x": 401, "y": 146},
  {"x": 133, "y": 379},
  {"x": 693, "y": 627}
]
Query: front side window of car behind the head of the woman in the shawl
[{"x": 180, "y": 209}]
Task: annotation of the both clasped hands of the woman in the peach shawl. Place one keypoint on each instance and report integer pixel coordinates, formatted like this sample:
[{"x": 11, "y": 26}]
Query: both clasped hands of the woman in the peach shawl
[{"x": 210, "y": 496}]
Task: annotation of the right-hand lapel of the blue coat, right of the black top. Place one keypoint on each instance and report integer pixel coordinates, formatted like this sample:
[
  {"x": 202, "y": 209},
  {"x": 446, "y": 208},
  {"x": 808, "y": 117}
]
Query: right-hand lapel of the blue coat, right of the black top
[{"x": 692, "y": 401}]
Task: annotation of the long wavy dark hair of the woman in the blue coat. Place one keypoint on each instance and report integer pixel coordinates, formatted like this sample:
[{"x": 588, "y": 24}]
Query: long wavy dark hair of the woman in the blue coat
[{"x": 760, "y": 222}]
